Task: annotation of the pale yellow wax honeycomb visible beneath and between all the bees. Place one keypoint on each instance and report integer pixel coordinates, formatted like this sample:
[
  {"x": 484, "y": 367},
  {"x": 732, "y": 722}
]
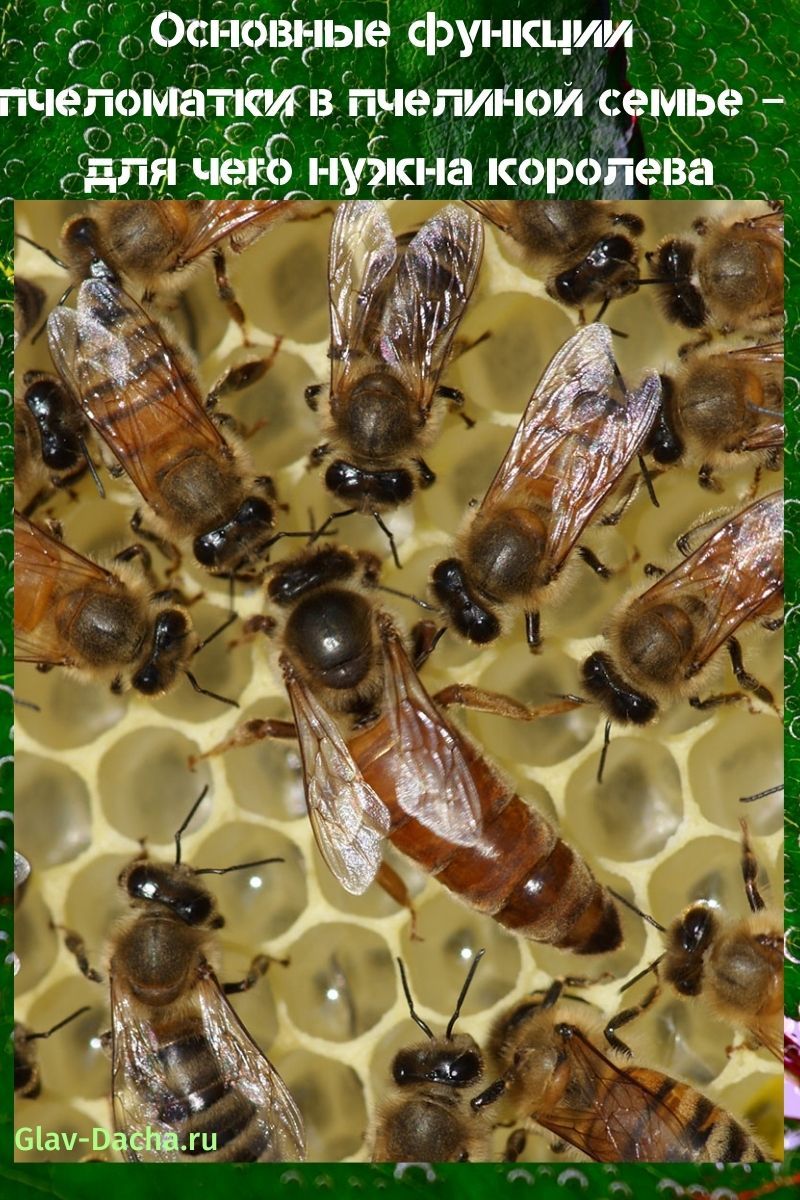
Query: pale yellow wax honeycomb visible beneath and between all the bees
[{"x": 97, "y": 773}]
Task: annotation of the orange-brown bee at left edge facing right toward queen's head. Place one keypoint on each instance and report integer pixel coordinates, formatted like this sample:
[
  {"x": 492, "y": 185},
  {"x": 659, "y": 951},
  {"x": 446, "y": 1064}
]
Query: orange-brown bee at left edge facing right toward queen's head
[{"x": 71, "y": 613}]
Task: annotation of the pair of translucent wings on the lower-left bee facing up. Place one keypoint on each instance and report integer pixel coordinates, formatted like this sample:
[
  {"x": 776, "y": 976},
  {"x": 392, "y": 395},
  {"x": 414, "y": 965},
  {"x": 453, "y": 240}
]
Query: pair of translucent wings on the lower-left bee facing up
[{"x": 143, "y": 1085}]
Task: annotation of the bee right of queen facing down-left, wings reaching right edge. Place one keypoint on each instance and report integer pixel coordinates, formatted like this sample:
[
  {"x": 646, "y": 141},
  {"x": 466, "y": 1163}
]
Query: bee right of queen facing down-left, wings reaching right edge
[{"x": 663, "y": 640}]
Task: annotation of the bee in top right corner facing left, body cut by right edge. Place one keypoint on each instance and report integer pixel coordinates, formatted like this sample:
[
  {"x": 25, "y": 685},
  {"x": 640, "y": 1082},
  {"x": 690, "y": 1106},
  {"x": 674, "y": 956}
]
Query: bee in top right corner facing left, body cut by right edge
[{"x": 729, "y": 278}]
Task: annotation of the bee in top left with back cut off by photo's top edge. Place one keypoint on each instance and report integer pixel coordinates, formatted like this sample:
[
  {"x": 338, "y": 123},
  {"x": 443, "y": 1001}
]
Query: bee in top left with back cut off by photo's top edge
[{"x": 157, "y": 245}]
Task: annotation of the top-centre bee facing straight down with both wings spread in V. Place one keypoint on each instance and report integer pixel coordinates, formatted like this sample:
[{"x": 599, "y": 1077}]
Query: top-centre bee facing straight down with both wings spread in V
[{"x": 395, "y": 310}]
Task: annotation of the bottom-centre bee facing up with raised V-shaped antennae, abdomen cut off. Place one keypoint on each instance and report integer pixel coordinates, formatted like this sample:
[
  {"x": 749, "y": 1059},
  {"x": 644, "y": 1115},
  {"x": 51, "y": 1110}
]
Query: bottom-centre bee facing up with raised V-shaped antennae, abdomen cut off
[{"x": 428, "y": 1119}]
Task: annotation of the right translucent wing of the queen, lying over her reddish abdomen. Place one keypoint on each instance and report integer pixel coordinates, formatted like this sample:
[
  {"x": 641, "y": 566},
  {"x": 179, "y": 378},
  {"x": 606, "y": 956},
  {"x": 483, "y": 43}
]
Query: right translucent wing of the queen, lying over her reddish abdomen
[{"x": 432, "y": 778}]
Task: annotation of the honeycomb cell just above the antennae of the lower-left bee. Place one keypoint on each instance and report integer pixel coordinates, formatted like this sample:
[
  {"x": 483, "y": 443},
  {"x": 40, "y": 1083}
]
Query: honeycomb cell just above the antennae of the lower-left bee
[{"x": 146, "y": 785}]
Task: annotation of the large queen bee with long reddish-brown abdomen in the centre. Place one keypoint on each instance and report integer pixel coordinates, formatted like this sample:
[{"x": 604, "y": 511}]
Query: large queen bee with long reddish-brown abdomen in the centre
[{"x": 402, "y": 771}]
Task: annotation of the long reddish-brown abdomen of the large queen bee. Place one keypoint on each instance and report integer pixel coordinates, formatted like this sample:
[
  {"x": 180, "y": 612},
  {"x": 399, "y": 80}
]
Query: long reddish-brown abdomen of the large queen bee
[{"x": 520, "y": 872}]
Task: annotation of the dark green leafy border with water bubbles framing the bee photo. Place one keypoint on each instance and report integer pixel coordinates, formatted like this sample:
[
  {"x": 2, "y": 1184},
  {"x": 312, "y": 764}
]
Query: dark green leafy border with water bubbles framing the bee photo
[{"x": 676, "y": 45}]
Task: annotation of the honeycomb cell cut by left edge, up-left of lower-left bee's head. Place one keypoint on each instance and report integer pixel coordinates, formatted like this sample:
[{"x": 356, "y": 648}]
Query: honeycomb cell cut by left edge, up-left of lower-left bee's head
[{"x": 52, "y": 812}]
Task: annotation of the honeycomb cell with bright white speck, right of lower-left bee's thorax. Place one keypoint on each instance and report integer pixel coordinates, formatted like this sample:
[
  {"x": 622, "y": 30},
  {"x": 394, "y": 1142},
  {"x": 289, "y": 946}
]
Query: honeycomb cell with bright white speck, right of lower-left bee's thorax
[{"x": 341, "y": 981}]
